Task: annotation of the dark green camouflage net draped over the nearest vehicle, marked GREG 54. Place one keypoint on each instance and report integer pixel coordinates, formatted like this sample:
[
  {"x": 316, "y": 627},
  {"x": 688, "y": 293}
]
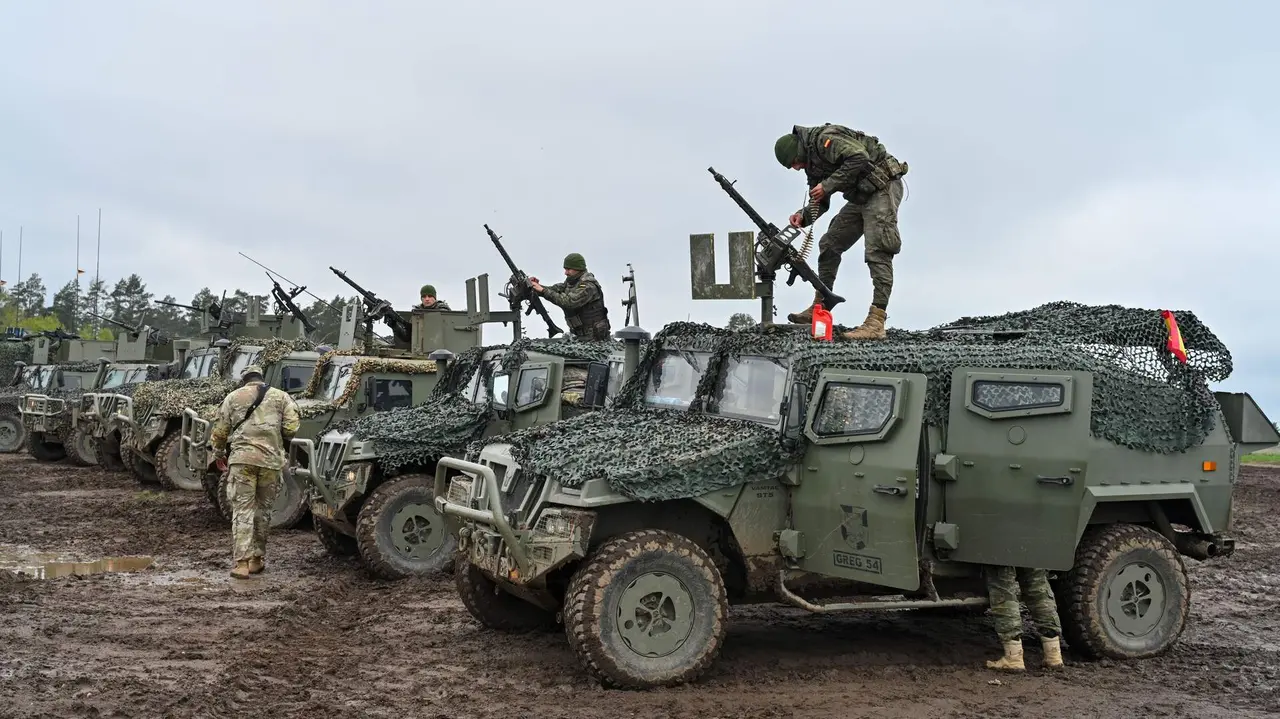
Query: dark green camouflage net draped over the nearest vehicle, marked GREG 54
[{"x": 1144, "y": 399}]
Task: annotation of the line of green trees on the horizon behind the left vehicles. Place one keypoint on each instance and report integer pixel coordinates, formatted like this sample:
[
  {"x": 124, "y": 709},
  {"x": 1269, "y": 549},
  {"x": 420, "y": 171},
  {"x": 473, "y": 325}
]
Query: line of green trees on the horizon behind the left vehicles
[{"x": 84, "y": 308}]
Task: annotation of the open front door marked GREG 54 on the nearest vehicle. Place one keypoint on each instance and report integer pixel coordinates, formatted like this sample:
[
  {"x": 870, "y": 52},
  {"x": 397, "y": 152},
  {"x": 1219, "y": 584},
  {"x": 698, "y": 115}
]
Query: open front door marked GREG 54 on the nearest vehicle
[{"x": 860, "y": 483}]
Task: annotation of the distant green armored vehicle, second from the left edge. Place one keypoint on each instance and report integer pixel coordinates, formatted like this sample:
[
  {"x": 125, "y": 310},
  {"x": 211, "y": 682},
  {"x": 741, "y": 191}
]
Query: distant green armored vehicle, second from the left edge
[{"x": 68, "y": 418}]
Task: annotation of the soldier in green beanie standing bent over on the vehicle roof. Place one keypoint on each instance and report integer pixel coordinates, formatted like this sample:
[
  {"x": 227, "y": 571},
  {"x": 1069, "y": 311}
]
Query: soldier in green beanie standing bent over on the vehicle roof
[{"x": 838, "y": 159}]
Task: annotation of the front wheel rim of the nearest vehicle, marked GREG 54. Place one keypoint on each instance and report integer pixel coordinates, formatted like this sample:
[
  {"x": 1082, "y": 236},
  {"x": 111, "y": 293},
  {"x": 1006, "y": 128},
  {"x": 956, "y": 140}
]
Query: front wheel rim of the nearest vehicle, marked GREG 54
[{"x": 656, "y": 615}]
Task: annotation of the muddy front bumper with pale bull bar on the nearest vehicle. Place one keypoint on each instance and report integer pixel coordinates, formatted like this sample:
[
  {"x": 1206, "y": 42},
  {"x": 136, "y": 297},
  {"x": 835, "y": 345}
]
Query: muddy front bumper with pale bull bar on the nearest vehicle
[{"x": 523, "y": 558}]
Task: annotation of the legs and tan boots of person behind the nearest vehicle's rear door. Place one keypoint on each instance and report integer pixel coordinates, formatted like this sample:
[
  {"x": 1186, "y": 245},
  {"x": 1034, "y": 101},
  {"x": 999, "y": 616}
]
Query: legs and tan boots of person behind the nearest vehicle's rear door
[{"x": 1003, "y": 592}]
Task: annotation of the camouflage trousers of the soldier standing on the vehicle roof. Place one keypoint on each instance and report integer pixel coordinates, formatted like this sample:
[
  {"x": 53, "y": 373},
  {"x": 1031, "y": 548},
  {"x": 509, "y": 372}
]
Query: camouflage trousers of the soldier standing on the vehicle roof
[{"x": 877, "y": 219}]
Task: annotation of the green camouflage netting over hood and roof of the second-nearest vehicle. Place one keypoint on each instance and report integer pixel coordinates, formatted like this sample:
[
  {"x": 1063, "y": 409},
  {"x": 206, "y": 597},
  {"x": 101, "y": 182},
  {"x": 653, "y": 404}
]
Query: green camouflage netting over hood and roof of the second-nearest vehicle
[{"x": 447, "y": 422}]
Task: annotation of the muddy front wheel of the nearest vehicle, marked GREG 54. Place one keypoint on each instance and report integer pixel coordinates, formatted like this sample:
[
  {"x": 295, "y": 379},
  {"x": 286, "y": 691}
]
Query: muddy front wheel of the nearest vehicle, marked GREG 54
[{"x": 647, "y": 610}]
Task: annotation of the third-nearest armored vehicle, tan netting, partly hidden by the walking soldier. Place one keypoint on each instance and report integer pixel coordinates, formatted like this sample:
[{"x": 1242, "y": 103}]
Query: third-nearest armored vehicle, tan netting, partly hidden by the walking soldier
[{"x": 349, "y": 384}]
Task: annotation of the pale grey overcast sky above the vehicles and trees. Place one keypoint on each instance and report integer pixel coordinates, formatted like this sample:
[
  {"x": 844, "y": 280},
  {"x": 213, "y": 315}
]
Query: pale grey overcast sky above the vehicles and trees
[{"x": 1100, "y": 153}]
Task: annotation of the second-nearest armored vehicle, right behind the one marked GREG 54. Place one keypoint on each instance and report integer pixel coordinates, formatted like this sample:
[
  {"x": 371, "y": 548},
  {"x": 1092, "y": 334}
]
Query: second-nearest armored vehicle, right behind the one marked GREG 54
[{"x": 371, "y": 482}]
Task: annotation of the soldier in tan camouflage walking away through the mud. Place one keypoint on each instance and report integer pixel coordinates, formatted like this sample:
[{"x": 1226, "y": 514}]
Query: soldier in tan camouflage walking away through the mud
[{"x": 254, "y": 427}]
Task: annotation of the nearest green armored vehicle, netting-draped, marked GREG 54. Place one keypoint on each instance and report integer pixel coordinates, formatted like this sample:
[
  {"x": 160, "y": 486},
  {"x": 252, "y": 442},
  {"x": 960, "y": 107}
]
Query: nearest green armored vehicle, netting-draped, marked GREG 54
[{"x": 766, "y": 465}]
